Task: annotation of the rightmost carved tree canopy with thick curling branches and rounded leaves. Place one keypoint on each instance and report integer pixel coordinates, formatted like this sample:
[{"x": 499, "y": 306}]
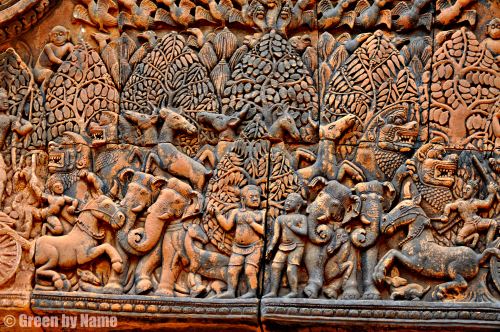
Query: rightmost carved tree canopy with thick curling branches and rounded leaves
[{"x": 464, "y": 91}]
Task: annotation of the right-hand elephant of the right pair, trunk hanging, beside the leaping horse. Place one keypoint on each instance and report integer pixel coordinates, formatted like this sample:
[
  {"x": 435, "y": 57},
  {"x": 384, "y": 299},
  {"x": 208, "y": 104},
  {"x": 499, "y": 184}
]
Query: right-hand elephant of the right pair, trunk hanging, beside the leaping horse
[{"x": 376, "y": 197}]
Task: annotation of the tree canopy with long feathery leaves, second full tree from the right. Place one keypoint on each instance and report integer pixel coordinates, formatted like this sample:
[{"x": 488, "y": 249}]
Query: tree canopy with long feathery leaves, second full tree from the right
[{"x": 371, "y": 80}]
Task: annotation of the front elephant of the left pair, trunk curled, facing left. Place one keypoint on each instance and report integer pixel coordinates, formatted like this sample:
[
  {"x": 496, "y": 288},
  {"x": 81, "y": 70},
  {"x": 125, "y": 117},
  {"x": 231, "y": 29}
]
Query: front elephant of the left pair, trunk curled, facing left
[{"x": 162, "y": 236}]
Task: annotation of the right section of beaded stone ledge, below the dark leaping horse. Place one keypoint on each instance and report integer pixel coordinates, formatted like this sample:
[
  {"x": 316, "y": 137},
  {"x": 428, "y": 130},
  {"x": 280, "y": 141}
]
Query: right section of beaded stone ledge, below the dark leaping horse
[{"x": 400, "y": 314}]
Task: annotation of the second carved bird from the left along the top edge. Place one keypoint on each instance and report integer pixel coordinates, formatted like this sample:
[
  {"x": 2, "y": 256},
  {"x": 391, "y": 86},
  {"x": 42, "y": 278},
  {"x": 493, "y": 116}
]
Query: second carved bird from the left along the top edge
[{"x": 139, "y": 16}]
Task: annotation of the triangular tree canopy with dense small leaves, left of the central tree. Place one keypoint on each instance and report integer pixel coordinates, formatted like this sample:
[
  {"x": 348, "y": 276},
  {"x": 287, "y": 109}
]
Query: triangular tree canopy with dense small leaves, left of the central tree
[{"x": 171, "y": 75}]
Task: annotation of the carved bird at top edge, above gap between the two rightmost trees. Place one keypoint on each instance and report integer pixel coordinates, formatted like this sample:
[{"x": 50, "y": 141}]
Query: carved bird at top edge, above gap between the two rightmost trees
[{"x": 409, "y": 17}]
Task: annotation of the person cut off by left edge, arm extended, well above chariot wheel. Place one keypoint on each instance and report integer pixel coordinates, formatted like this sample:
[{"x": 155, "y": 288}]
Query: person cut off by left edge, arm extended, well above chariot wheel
[{"x": 8, "y": 123}]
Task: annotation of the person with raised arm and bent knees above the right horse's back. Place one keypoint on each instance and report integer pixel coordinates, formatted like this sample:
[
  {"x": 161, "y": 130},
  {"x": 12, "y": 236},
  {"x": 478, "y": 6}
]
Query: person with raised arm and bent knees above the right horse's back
[{"x": 467, "y": 208}]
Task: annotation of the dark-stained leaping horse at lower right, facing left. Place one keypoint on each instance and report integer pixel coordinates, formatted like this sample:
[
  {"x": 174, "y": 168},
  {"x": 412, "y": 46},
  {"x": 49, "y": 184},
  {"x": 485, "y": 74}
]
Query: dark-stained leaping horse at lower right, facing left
[{"x": 422, "y": 254}]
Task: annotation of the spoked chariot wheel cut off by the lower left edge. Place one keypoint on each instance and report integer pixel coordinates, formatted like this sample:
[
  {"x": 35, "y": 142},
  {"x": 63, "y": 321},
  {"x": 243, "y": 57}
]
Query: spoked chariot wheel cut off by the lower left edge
[{"x": 10, "y": 255}]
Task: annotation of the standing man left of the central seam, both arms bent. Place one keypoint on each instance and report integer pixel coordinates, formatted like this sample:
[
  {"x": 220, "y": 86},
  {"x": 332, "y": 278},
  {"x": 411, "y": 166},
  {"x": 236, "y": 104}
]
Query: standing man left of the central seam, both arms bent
[{"x": 247, "y": 245}]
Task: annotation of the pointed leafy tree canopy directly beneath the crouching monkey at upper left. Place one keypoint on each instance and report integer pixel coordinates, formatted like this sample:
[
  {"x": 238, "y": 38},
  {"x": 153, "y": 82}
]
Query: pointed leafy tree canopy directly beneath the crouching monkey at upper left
[{"x": 78, "y": 92}]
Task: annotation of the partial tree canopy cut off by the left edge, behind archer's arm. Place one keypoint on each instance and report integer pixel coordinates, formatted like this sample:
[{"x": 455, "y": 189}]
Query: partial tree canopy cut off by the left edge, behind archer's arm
[{"x": 24, "y": 97}]
